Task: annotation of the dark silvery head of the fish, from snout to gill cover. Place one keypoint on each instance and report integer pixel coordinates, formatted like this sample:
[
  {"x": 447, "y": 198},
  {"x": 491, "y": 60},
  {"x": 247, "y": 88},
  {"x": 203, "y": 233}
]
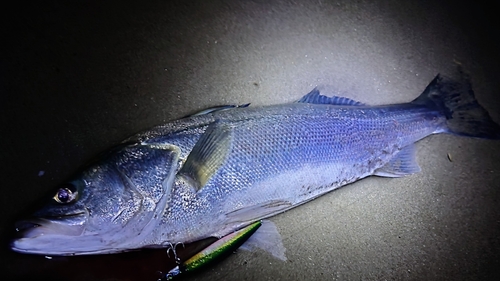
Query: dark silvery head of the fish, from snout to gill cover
[{"x": 109, "y": 207}]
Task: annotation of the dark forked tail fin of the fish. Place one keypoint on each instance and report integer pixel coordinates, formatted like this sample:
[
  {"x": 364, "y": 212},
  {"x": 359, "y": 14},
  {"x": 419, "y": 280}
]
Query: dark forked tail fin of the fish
[{"x": 455, "y": 99}]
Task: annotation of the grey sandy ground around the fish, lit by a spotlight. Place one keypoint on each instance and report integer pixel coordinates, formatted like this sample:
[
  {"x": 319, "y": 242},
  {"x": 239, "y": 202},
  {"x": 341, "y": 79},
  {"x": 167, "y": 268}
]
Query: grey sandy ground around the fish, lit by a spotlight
[{"x": 79, "y": 76}]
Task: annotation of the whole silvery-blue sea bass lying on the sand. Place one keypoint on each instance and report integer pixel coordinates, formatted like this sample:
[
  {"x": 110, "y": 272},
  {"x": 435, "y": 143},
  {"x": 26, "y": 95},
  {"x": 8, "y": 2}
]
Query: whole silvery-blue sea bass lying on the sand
[{"x": 211, "y": 174}]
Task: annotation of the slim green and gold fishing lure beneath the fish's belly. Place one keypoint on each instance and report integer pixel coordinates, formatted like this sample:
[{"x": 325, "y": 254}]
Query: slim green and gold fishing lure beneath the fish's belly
[{"x": 217, "y": 250}]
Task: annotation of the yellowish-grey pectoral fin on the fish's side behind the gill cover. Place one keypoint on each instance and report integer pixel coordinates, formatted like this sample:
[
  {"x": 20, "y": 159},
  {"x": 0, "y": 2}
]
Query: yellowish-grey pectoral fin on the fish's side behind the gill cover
[{"x": 208, "y": 155}]
